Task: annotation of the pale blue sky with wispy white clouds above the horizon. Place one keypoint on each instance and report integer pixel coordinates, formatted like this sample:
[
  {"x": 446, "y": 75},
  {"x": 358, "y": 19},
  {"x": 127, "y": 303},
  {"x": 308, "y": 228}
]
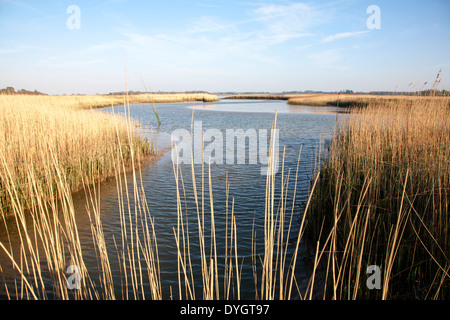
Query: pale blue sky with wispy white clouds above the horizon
[{"x": 89, "y": 47}]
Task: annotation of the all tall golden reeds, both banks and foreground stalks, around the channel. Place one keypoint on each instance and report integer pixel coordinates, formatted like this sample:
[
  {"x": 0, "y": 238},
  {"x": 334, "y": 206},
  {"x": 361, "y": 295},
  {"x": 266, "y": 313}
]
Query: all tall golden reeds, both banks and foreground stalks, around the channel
[{"x": 380, "y": 198}]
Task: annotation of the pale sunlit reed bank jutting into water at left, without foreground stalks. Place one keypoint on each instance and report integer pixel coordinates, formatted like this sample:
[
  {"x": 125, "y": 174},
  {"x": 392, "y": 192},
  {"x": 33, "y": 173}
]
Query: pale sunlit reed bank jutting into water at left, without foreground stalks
[{"x": 40, "y": 131}]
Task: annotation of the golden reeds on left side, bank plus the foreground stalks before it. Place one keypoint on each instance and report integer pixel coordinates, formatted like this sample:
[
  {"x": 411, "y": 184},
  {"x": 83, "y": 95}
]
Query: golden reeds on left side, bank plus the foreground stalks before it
[{"x": 48, "y": 150}]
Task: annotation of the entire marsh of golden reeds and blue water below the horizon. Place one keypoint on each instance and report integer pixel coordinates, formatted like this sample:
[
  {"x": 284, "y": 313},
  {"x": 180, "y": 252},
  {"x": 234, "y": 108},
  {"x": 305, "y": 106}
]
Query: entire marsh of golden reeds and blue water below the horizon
[{"x": 102, "y": 190}]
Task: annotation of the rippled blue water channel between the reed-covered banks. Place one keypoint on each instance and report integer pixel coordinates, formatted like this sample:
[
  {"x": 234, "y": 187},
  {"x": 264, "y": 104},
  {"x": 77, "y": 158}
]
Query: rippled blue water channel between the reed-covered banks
[{"x": 237, "y": 164}]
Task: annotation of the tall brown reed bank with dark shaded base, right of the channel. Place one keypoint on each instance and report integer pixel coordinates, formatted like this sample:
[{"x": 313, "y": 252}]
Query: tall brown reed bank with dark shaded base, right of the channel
[{"x": 383, "y": 199}]
